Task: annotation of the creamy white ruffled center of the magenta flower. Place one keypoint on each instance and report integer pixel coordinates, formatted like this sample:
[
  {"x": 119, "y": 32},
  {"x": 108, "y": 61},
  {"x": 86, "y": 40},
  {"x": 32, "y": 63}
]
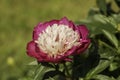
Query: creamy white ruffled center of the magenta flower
[{"x": 57, "y": 39}]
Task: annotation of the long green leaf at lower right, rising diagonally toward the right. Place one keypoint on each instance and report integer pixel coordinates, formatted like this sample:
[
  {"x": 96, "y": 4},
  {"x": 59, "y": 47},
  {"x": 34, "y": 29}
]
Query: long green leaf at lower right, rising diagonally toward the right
[{"x": 103, "y": 64}]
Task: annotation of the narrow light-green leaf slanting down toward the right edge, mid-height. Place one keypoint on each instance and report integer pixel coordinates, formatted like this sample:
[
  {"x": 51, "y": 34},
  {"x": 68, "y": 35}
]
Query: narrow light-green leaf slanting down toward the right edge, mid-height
[{"x": 111, "y": 38}]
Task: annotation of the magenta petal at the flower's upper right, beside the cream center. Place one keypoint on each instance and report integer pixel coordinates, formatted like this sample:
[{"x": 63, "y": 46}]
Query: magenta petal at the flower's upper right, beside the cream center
[{"x": 83, "y": 31}]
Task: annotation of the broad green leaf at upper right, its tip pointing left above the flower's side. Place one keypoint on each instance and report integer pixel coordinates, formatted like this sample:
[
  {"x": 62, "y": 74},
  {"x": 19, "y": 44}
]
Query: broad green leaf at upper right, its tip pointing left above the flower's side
[{"x": 97, "y": 23}]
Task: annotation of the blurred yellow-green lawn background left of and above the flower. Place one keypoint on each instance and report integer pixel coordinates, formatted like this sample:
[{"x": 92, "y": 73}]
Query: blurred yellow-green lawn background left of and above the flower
[{"x": 17, "y": 20}]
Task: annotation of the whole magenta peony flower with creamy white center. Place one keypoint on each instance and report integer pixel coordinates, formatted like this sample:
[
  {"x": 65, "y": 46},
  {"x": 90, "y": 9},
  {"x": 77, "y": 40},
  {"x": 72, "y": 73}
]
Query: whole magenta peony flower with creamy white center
[{"x": 56, "y": 40}]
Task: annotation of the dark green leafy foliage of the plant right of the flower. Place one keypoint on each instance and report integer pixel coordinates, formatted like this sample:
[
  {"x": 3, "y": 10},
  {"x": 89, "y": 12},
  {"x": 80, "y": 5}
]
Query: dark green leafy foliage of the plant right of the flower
[{"x": 102, "y": 60}]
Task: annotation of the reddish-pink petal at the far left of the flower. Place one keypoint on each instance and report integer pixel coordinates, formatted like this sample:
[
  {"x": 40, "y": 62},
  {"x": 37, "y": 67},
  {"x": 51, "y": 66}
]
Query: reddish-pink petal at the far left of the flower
[{"x": 31, "y": 49}]
